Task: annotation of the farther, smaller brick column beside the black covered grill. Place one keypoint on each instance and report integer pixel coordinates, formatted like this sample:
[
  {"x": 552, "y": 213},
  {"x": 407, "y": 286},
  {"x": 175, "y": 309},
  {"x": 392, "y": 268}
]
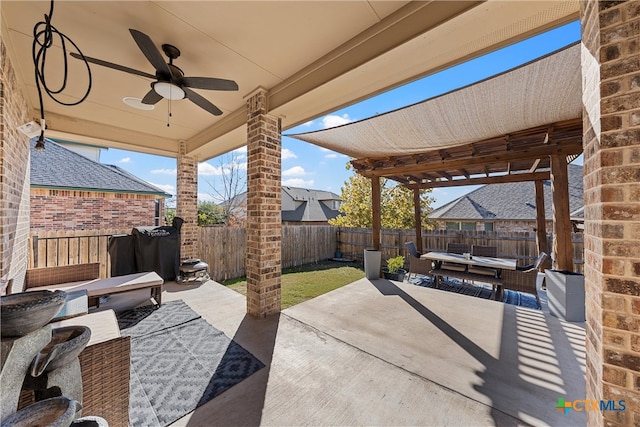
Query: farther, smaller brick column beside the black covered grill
[{"x": 187, "y": 202}]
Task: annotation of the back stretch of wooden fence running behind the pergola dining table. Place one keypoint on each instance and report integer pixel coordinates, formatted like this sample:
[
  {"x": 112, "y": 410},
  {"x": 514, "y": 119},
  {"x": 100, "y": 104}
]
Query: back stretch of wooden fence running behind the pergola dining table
[{"x": 515, "y": 245}]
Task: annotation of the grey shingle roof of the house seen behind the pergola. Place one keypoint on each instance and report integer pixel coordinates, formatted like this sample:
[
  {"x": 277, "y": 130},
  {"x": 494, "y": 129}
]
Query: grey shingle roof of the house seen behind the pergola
[{"x": 511, "y": 201}]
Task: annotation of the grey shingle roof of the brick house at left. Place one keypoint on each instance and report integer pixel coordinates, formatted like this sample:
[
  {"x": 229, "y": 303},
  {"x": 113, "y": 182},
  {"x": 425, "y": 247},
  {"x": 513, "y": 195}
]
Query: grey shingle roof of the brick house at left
[{"x": 59, "y": 167}]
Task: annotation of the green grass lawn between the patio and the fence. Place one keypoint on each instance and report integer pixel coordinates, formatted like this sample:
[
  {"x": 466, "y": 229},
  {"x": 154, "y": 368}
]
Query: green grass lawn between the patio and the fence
[{"x": 308, "y": 281}]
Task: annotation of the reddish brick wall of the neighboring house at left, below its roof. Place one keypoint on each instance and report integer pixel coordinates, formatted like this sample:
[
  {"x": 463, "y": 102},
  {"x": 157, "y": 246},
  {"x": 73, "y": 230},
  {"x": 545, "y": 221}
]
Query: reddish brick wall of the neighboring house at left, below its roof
[{"x": 86, "y": 210}]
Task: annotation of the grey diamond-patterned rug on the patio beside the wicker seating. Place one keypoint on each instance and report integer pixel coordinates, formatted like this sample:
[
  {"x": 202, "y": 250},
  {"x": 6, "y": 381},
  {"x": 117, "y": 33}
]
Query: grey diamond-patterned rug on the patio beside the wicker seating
[{"x": 178, "y": 362}]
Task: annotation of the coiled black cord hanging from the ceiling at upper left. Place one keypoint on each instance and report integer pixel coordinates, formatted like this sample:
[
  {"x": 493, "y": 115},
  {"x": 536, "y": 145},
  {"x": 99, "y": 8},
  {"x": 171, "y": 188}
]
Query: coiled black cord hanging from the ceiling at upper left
[{"x": 43, "y": 36}]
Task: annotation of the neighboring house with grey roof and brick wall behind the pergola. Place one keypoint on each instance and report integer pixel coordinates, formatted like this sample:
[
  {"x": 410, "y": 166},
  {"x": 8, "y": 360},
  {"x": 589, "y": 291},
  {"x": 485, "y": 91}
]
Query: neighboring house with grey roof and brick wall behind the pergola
[{"x": 507, "y": 207}]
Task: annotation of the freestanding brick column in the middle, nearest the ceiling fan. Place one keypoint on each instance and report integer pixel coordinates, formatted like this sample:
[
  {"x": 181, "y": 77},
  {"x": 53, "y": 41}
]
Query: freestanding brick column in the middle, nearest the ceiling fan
[{"x": 264, "y": 206}]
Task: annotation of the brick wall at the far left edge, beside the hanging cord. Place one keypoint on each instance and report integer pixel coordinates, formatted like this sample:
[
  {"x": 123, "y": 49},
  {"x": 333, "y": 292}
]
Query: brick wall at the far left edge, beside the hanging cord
[{"x": 14, "y": 177}]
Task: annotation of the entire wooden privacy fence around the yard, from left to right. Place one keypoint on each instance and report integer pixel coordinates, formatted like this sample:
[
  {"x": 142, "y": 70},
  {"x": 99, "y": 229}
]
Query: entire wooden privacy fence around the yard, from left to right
[{"x": 224, "y": 248}]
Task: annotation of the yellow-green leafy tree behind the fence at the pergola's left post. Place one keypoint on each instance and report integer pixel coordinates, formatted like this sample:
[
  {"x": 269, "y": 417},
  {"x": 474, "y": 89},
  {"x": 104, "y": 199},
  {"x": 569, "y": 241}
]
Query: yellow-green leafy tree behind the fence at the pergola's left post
[{"x": 396, "y": 204}]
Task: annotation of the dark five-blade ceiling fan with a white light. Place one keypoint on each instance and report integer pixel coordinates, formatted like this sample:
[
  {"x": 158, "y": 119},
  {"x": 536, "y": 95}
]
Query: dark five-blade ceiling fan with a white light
[{"x": 170, "y": 81}]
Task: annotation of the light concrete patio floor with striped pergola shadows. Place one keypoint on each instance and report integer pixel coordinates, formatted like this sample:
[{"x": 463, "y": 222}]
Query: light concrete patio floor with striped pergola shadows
[{"x": 387, "y": 353}]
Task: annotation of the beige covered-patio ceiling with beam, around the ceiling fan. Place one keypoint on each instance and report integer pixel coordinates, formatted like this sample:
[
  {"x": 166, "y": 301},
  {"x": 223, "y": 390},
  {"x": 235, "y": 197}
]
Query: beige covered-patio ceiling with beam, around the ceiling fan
[{"x": 313, "y": 57}]
